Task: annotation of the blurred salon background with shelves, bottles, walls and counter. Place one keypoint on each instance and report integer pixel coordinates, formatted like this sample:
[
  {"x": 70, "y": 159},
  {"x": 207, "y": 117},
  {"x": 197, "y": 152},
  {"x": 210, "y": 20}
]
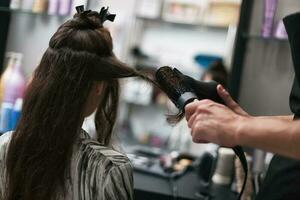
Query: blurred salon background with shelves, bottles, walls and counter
[{"x": 239, "y": 43}]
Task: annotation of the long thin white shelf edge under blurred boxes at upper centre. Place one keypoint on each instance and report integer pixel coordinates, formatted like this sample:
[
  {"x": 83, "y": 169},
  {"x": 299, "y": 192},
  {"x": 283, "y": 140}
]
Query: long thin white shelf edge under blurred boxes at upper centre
[{"x": 179, "y": 23}]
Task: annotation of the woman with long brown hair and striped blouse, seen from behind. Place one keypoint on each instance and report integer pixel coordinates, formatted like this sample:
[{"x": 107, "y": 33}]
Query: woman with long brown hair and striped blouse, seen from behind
[{"x": 49, "y": 156}]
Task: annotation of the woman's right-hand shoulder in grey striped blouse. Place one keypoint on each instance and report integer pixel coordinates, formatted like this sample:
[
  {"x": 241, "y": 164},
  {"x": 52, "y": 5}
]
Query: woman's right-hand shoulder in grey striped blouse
[{"x": 105, "y": 171}]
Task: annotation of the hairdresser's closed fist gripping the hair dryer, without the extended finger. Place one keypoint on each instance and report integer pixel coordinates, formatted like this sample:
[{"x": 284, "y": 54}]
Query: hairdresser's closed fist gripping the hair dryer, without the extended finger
[{"x": 213, "y": 122}]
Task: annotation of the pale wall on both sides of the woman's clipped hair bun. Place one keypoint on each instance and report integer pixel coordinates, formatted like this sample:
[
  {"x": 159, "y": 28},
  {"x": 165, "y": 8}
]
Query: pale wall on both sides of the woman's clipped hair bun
[{"x": 30, "y": 33}]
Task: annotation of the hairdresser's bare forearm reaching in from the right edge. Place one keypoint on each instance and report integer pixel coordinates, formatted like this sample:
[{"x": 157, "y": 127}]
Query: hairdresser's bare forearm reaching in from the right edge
[{"x": 275, "y": 134}]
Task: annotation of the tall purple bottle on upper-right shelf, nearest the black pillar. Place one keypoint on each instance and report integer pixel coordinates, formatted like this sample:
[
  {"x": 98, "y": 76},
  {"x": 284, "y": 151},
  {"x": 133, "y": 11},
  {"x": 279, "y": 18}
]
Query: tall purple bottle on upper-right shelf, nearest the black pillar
[{"x": 269, "y": 13}]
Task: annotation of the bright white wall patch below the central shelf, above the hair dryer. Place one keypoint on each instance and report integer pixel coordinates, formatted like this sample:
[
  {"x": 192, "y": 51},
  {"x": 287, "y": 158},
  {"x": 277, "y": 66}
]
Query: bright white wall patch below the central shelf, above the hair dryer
[{"x": 178, "y": 45}]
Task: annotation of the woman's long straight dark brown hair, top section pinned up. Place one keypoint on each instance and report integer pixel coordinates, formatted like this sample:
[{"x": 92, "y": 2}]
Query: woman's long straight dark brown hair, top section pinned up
[{"x": 40, "y": 150}]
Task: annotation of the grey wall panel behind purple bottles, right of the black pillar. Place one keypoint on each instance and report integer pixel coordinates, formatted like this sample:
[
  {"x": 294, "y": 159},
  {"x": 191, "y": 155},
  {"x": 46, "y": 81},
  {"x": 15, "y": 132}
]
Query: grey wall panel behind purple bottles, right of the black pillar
[{"x": 268, "y": 69}]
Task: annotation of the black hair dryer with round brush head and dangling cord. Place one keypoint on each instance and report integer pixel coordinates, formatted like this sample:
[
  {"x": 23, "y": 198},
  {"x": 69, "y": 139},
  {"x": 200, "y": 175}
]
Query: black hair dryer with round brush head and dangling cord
[{"x": 182, "y": 90}]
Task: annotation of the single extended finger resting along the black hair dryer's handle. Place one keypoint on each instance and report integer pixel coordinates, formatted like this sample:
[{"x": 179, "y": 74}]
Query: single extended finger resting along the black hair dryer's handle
[{"x": 229, "y": 101}]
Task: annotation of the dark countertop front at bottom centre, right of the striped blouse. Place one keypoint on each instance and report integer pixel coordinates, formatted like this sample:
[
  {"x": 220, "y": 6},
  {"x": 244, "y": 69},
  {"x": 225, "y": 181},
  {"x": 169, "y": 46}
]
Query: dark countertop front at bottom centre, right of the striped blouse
[{"x": 150, "y": 187}]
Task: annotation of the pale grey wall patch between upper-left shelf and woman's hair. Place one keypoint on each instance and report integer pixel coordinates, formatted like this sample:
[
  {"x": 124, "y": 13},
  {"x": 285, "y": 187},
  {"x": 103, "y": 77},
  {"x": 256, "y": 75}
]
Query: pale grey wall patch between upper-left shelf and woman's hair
[{"x": 29, "y": 34}]
